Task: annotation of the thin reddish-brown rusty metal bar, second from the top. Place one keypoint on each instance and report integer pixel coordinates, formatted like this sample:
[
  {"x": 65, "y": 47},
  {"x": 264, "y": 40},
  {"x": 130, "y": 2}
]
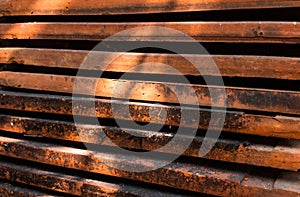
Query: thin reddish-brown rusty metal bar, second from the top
[{"x": 241, "y": 32}]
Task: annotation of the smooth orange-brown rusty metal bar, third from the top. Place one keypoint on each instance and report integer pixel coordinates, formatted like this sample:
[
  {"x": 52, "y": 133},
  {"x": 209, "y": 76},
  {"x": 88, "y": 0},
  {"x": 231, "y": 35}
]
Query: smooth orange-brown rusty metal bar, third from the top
[{"x": 232, "y": 66}]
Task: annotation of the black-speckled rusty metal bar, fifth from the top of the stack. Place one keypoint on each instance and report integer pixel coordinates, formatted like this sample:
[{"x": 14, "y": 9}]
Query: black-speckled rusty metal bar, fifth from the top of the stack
[{"x": 279, "y": 126}]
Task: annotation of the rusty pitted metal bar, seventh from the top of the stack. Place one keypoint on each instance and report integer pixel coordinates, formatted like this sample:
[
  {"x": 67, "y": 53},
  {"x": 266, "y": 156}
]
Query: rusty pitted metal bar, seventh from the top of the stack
[{"x": 213, "y": 179}]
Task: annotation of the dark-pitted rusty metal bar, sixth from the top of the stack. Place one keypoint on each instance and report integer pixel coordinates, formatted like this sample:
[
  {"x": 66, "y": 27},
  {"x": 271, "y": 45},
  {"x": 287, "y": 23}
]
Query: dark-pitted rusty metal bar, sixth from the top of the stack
[{"x": 246, "y": 151}]
